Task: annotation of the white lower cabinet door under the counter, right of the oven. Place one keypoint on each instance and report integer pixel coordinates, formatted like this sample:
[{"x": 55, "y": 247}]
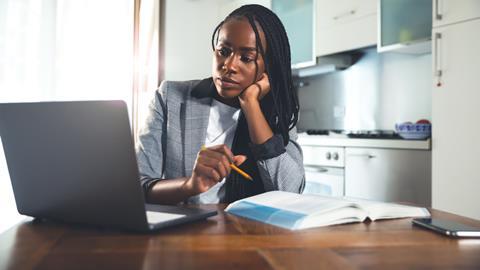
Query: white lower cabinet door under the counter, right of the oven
[{"x": 388, "y": 175}]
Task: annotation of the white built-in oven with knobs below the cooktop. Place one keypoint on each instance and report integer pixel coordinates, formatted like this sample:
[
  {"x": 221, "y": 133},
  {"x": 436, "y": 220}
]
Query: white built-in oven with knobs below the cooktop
[{"x": 324, "y": 170}]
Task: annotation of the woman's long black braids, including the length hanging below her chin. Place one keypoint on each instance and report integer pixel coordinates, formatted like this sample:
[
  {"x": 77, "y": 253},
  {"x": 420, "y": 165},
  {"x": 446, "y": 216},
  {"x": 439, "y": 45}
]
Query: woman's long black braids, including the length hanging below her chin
[{"x": 280, "y": 106}]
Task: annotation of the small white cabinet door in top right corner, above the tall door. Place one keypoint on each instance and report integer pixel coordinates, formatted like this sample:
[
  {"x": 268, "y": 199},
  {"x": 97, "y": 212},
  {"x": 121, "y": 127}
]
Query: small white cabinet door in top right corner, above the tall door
[{"x": 452, "y": 11}]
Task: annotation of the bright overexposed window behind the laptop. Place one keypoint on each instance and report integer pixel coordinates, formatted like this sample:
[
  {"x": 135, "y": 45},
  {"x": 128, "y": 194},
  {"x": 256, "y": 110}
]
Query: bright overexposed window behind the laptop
[{"x": 62, "y": 50}]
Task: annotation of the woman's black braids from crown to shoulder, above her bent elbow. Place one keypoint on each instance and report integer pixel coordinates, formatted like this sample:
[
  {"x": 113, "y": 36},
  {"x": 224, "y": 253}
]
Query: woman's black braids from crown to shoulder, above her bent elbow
[{"x": 280, "y": 106}]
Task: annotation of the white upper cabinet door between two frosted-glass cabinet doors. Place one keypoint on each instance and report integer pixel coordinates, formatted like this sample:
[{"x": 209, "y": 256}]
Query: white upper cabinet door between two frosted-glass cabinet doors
[{"x": 345, "y": 25}]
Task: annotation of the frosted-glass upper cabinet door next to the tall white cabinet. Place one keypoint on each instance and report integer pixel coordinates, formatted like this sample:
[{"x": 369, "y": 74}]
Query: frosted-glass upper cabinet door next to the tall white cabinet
[{"x": 405, "y": 26}]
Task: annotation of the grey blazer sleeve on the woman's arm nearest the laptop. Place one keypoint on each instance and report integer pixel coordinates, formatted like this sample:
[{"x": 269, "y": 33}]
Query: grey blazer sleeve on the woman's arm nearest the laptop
[{"x": 151, "y": 141}]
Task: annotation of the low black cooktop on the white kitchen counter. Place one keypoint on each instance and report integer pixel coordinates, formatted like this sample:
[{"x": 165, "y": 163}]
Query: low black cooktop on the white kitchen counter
[{"x": 358, "y": 134}]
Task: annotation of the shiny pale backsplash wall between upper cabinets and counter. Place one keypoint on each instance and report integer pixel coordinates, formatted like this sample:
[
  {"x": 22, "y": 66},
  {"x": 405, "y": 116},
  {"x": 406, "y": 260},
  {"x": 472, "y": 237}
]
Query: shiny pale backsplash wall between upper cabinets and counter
[{"x": 377, "y": 92}]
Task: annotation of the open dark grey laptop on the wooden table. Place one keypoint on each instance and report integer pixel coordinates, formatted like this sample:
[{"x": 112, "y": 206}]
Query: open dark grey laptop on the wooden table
[{"x": 75, "y": 162}]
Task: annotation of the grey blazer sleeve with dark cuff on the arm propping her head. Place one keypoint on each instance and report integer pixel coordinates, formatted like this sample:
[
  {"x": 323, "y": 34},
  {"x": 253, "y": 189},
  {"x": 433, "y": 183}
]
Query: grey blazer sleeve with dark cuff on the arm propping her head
[{"x": 280, "y": 167}]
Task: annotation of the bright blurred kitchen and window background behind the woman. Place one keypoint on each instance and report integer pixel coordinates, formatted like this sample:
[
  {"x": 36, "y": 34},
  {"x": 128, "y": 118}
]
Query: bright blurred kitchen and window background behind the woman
[{"x": 361, "y": 67}]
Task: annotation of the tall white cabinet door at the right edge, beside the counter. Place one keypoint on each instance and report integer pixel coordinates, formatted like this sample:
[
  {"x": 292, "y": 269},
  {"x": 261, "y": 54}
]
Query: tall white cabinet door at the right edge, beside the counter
[{"x": 455, "y": 124}]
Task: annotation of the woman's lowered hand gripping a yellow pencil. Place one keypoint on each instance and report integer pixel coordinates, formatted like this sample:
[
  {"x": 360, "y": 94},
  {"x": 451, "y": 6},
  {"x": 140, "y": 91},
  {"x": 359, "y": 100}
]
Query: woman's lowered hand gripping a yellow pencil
[{"x": 211, "y": 166}]
